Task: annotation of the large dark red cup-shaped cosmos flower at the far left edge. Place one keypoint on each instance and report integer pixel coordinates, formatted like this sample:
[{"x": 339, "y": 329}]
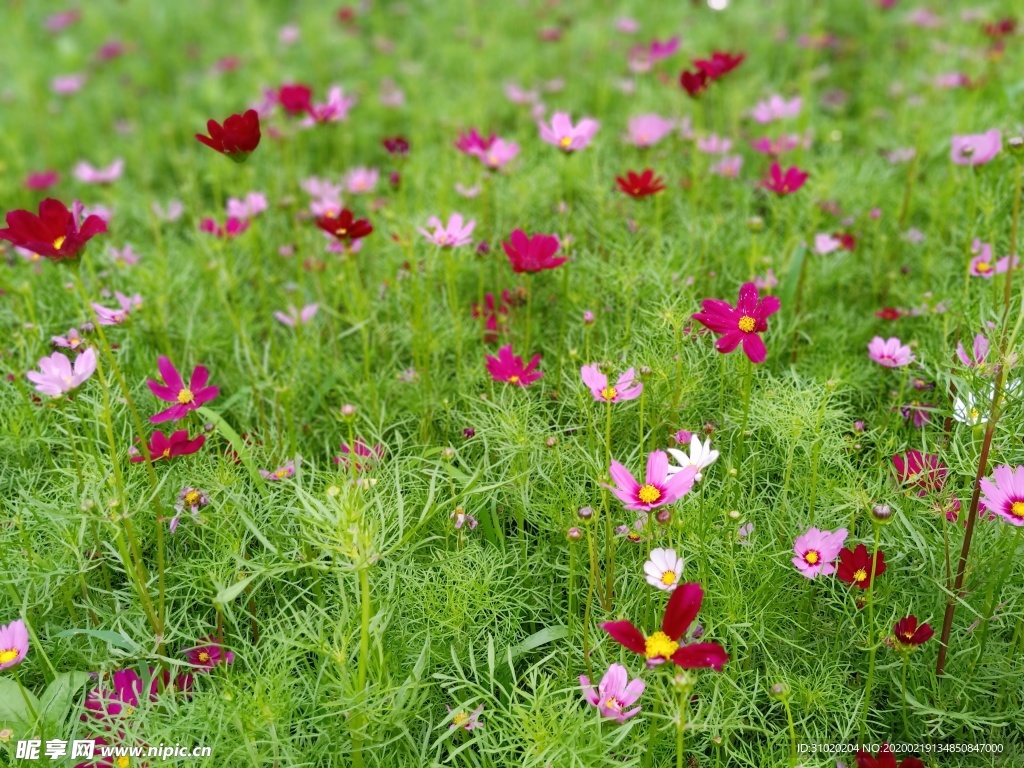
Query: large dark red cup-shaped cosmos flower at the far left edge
[{"x": 56, "y": 233}]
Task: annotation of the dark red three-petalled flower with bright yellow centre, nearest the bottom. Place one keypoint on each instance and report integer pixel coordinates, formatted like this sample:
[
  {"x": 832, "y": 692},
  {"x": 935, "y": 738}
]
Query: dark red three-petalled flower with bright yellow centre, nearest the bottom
[{"x": 664, "y": 646}]
